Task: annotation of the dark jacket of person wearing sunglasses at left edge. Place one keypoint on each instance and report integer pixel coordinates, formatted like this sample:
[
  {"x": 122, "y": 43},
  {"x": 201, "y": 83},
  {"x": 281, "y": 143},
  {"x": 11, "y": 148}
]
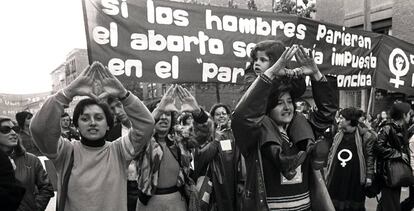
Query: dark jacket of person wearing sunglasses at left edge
[{"x": 32, "y": 175}]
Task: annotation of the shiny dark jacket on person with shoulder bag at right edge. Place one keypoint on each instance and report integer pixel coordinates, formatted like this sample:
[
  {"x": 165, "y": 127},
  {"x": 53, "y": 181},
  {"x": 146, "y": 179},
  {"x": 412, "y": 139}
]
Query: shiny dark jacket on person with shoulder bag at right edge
[{"x": 392, "y": 143}]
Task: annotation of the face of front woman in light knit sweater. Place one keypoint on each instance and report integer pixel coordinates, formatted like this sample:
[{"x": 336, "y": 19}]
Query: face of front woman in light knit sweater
[{"x": 92, "y": 123}]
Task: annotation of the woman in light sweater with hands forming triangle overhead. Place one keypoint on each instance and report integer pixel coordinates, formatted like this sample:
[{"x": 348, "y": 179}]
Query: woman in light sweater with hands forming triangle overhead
[{"x": 92, "y": 172}]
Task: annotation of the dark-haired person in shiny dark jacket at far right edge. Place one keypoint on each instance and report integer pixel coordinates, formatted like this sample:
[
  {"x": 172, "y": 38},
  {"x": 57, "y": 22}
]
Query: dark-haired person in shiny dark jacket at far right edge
[{"x": 392, "y": 144}]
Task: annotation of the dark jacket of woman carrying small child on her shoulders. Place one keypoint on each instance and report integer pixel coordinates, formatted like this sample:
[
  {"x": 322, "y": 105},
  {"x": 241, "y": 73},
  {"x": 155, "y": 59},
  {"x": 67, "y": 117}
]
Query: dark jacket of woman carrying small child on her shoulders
[{"x": 251, "y": 125}]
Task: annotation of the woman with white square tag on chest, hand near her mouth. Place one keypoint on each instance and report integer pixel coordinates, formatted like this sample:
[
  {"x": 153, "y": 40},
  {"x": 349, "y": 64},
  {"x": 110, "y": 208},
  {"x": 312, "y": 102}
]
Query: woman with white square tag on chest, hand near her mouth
[{"x": 222, "y": 161}]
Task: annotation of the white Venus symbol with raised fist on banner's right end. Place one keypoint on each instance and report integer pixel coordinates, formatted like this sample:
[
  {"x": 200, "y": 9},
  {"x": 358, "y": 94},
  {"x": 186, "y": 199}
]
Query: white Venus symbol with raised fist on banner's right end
[{"x": 399, "y": 66}]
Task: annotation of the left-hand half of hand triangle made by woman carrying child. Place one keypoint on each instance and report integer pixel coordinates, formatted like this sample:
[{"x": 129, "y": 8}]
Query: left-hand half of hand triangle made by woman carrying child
[{"x": 279, "y": 67}]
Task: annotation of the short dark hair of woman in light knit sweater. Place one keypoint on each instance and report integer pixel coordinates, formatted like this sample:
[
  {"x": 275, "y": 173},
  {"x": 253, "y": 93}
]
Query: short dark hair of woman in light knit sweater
[{"x": 80, "y": 107}]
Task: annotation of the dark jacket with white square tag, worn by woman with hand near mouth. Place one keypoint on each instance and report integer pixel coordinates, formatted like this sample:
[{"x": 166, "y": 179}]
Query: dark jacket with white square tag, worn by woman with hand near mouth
[{"x": 224, "y": 186}]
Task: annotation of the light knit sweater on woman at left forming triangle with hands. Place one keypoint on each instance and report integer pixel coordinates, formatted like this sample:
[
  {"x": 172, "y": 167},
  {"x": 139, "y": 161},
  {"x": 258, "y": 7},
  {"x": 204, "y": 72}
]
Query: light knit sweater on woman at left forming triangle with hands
[{"x": 99, "y": 175}]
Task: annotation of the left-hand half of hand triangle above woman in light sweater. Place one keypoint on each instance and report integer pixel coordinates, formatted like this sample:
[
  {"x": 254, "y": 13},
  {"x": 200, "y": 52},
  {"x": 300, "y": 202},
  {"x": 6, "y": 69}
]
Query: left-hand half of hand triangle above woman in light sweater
[{"x": 82, "y": 85}]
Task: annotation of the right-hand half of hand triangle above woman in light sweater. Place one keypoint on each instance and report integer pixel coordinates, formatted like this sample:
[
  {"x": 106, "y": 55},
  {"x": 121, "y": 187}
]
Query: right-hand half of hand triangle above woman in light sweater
[{"x": 111, "y": 86}]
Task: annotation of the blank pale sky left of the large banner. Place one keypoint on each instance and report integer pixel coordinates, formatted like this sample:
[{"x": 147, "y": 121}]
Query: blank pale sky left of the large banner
[{"x": 35, "y": 38}]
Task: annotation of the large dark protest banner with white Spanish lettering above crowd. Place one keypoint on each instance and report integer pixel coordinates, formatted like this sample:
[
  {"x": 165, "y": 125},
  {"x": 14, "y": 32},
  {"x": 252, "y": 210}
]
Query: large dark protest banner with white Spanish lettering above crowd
[{"x": 173, "y": 42}]
